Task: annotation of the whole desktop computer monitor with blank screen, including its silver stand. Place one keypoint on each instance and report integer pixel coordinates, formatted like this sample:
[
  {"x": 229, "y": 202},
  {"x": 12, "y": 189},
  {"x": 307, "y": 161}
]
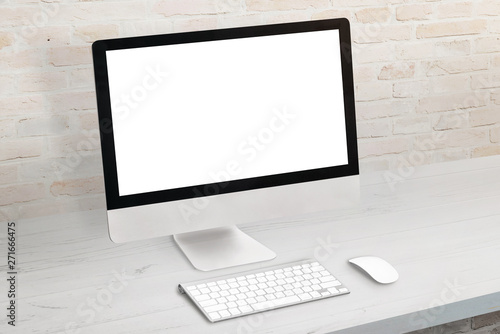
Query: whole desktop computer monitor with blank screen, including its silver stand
[{"x": 203, "y": 131}]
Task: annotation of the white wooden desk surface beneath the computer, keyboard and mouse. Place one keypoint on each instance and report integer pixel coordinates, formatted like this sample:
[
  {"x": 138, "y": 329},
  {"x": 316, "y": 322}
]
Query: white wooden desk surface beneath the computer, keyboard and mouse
[{"x": 440, "y": 228}]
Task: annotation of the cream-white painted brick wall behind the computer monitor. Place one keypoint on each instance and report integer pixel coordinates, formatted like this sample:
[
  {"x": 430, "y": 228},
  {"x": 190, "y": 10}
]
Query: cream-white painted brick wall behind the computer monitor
[{"x": 425, "y": 71}]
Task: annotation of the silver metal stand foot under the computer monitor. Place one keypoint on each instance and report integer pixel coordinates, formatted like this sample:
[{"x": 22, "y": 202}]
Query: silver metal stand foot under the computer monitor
[{"x": 221, "y": 247}]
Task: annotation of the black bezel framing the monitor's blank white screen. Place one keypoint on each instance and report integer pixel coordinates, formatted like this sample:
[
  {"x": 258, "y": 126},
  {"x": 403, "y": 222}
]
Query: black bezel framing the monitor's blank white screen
[{"x": 99, "y": 48}]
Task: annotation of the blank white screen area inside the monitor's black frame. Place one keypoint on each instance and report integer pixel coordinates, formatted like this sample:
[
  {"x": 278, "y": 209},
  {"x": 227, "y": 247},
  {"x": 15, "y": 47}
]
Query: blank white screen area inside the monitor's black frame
[{"x": 198, "y": 113}]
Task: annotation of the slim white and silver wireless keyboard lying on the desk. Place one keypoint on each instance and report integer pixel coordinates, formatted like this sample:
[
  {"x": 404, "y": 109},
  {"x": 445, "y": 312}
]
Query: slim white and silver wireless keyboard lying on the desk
[{"x": 247, "y": 293}]
